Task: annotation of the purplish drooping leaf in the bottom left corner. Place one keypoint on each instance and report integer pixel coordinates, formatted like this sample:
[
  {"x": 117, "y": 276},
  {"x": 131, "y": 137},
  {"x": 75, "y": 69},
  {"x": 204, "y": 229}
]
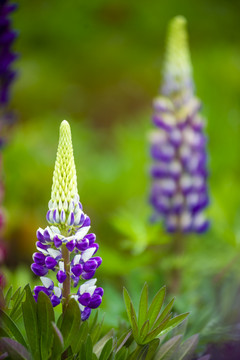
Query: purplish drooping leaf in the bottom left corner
[{"x": 14, "y": 349}]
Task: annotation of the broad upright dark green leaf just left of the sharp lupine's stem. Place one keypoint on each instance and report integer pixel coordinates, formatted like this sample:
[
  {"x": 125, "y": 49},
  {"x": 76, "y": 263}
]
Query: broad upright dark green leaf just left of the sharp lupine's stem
[{"x": 45, "y": 316}]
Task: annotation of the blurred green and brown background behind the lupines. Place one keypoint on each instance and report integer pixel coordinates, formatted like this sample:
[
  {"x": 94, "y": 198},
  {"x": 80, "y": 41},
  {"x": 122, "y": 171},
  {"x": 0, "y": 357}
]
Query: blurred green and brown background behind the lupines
[{"x": 97, "y": 64}]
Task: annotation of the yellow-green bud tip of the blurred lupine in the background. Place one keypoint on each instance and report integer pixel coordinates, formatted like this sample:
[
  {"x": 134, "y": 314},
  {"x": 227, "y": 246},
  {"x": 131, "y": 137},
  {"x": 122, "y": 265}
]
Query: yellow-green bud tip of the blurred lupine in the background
[{"x": 177, "y": 63}]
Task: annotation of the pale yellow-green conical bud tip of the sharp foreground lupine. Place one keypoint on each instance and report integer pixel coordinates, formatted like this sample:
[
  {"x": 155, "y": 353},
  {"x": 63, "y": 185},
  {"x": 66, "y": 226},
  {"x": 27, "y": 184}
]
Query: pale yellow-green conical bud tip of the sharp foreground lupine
[{"x": 64, "y": 187}]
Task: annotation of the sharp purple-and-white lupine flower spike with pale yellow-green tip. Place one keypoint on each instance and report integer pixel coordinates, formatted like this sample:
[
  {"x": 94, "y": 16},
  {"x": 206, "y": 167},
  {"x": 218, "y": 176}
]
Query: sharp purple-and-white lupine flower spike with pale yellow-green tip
[{"x": 65, "y": 246}]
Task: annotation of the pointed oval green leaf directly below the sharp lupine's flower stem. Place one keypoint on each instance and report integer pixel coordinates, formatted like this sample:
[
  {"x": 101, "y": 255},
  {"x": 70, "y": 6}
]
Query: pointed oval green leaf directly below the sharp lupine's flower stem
[{"x": 71, "y": 323}]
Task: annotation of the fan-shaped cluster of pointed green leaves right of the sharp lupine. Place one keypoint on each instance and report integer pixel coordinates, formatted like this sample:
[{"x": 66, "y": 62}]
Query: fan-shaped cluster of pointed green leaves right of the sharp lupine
[{"x": 151, "y": 322}]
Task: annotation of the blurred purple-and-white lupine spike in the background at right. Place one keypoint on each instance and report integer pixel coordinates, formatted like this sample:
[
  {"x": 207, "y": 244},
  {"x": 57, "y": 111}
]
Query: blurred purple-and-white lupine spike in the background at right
[{"x": 178, "y": 145}]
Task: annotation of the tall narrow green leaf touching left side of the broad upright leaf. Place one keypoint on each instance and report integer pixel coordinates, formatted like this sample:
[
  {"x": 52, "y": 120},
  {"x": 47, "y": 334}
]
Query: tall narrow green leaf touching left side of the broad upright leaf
[{"x": 29, "y": 308}]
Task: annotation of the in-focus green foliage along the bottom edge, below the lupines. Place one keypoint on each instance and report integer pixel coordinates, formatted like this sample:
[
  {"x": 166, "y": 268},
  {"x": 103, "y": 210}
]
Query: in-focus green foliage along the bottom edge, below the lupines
[{"x": 72, "y": 339}]
